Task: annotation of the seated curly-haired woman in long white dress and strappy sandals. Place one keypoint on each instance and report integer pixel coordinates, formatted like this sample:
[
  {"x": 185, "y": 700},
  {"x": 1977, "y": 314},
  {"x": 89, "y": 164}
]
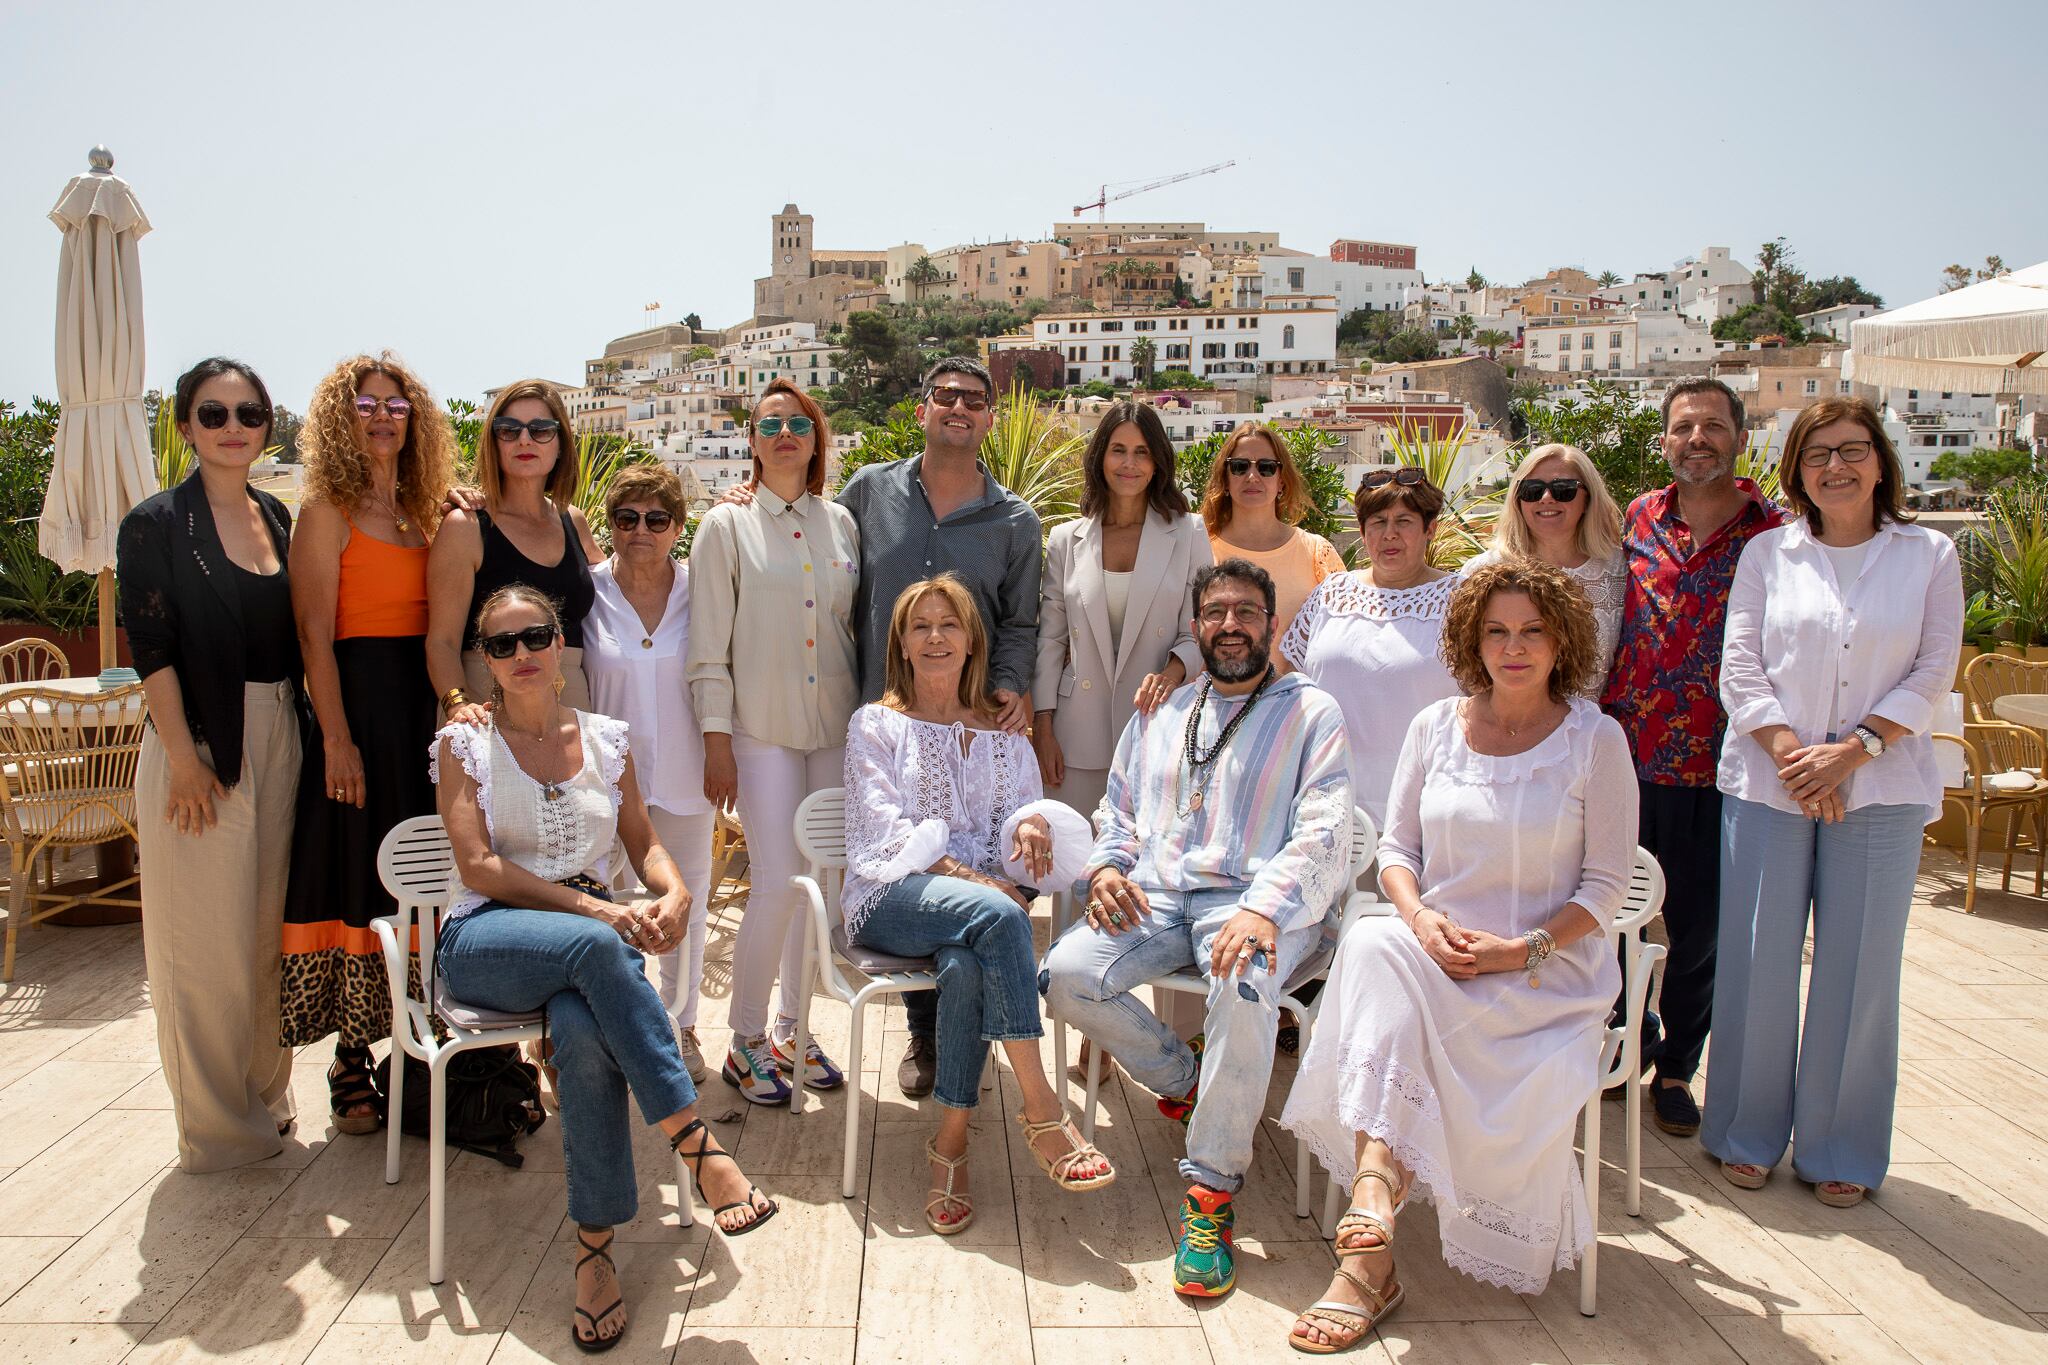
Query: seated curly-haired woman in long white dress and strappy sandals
[{"x": 1461, "y": 1041}]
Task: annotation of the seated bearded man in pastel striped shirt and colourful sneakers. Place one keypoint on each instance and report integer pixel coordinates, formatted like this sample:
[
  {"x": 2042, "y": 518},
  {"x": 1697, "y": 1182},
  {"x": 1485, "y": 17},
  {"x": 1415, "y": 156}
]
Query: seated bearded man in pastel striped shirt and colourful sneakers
[{"x": 1224, "y": 846}]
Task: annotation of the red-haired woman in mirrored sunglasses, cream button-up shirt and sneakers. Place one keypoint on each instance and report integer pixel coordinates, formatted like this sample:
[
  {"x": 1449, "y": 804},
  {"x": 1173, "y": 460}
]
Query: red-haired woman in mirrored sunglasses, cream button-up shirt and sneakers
[{"x": 775, "y": 682}]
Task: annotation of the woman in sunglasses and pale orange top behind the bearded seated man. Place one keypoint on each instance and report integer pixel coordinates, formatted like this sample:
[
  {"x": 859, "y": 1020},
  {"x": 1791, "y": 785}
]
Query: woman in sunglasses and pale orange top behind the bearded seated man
[{"x": 1252, "y": 507}]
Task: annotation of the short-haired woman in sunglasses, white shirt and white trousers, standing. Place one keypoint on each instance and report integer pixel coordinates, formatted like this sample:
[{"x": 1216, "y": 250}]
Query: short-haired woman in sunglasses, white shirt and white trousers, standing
[{"x": 636, "y": 644}]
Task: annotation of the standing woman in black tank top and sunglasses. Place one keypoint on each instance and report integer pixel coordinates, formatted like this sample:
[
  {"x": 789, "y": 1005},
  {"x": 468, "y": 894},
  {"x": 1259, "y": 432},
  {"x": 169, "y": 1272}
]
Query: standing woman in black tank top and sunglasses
[{"x": 527, "y": 533}]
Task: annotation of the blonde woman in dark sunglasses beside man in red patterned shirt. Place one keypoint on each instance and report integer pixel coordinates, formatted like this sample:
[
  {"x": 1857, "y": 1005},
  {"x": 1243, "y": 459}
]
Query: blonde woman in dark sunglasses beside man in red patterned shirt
[{"x": 1560, "y": 513}]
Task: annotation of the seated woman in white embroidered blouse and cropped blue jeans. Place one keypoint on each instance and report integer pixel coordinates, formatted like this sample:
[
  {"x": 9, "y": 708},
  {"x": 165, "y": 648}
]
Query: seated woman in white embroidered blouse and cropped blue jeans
[{"x": 945, "y": 820}]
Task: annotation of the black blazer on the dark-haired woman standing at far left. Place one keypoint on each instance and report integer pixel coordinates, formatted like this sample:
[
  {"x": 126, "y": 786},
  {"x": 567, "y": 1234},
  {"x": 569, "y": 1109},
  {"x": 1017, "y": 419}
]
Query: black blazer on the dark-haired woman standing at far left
[{"x": 183, "y": 613}]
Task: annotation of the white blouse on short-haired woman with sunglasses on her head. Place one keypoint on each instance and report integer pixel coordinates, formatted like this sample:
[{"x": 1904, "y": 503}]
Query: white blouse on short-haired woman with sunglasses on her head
[{"x": 1379, "y": 654}]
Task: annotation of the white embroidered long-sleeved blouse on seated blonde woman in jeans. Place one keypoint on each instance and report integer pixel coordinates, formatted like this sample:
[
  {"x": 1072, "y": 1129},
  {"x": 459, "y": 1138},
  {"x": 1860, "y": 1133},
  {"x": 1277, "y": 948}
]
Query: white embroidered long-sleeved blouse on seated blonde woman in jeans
[{"x": 914, "y": 797}]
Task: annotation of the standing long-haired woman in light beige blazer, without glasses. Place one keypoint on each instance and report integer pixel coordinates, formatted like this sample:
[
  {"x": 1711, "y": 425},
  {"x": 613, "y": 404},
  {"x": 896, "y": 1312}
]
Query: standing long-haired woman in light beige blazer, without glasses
[{"x": 1115, "y": 605}]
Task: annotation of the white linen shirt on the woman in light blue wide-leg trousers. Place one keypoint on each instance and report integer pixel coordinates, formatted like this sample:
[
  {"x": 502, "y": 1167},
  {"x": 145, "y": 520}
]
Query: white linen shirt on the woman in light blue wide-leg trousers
[{"x": 1818, "y": 658}]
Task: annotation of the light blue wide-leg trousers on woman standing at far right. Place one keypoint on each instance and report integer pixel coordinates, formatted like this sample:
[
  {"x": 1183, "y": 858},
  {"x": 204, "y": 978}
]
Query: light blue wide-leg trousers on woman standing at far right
[{"x": 1834, "y": 1080}]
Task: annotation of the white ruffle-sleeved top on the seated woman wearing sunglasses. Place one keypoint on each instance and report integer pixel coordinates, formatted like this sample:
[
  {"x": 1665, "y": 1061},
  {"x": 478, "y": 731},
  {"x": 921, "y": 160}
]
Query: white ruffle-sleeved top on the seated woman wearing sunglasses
[{"x": 556, "y": 840}]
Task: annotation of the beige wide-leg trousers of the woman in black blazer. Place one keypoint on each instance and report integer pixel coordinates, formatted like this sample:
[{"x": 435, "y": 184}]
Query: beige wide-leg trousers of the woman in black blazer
[{"x": 212, "y": 934}]
